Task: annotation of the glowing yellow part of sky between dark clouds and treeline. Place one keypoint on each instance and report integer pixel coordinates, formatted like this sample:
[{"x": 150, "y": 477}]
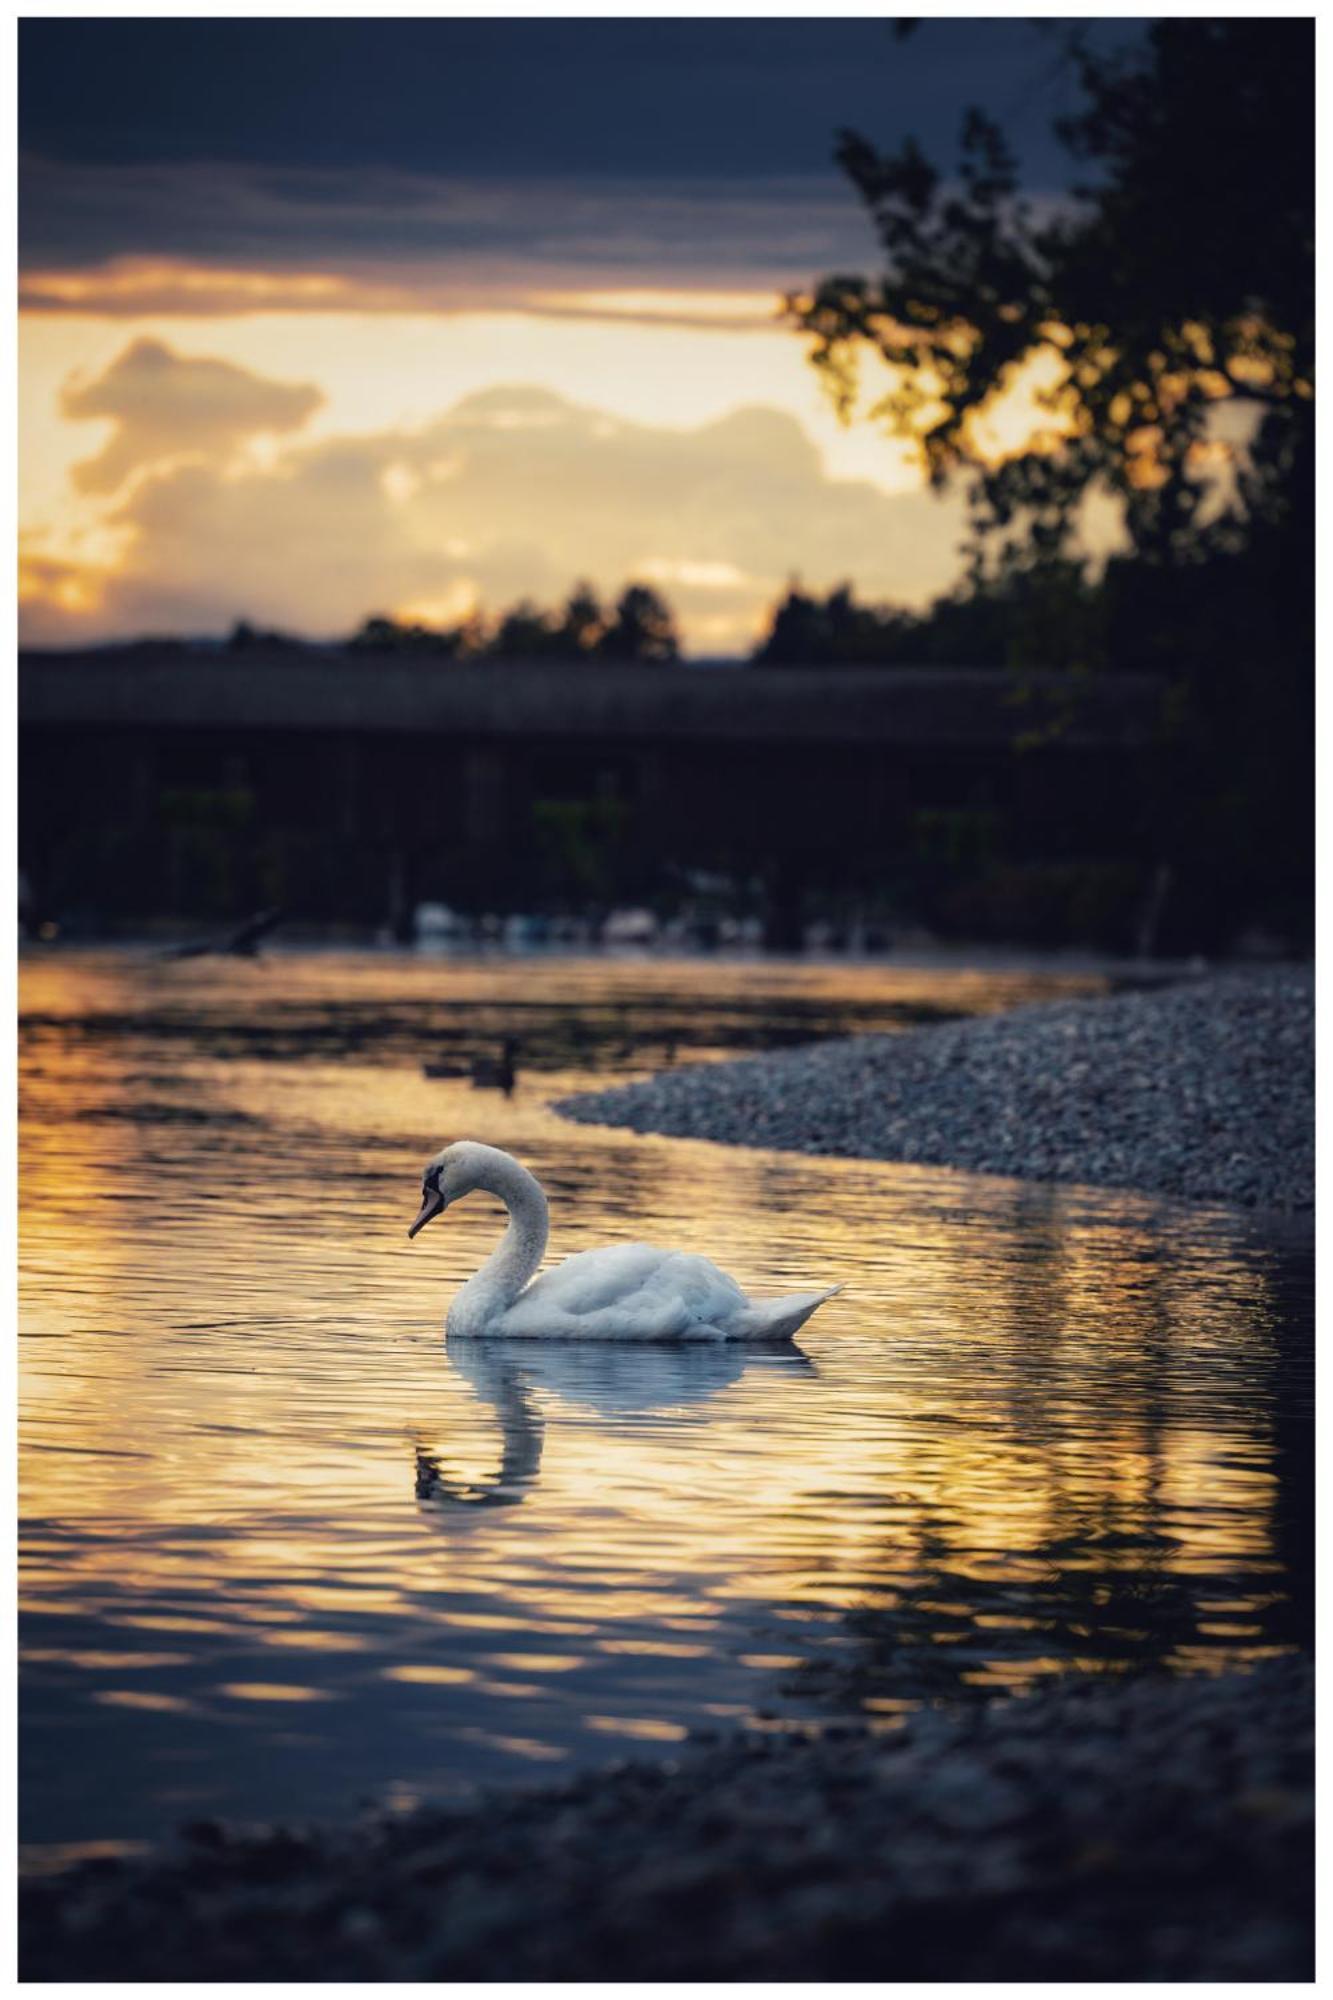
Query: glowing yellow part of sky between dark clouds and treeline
[{"x": 682, "y": 437}]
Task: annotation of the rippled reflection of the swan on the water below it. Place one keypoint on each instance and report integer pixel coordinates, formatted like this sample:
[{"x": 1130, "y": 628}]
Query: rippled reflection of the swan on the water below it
[{"x": 623, "y": 1385}]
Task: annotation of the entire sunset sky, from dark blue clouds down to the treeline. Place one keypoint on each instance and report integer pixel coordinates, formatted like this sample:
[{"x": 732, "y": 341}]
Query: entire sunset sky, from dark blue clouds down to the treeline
[{"x": 343, "y": 317}]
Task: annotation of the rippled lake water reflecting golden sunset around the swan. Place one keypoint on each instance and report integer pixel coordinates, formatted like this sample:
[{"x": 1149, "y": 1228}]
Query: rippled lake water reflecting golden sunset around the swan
[{"x": 287, "y": 1553}]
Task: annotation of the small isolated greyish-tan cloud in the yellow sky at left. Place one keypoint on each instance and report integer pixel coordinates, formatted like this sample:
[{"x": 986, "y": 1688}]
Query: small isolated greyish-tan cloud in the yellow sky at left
[{"x": 165, "y": 403}]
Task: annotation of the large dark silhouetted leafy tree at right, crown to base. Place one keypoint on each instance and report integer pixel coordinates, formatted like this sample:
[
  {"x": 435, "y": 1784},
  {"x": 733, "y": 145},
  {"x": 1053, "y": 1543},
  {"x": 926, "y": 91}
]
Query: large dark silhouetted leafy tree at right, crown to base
[{"x": 1172, "y": 307}]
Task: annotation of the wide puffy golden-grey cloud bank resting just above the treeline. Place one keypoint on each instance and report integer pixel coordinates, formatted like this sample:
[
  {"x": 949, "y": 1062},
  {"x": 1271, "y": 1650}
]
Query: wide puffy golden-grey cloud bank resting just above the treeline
[{"x": 513, "y": 491}]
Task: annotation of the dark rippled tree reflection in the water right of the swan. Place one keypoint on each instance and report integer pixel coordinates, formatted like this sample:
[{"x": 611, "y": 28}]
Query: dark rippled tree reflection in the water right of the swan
[{"x": 1196, "y": 1391}]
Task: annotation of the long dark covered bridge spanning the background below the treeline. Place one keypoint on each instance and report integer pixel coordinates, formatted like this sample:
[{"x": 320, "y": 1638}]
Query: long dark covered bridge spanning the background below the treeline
[{"x": 177, "y": 781}]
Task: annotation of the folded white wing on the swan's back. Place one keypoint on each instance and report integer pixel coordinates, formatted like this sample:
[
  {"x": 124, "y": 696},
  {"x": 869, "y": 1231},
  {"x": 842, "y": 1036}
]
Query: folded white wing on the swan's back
[{"x": 629, "y": 1293}]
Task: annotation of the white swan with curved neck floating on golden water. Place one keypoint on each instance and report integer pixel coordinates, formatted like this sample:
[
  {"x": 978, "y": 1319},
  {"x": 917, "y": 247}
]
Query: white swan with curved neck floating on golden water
[{"x": 625, "y": 1293}]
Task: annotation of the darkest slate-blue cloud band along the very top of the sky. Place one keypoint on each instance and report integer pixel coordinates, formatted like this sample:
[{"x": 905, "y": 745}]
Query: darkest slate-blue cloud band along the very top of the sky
[{"x": 481, "y": 99}]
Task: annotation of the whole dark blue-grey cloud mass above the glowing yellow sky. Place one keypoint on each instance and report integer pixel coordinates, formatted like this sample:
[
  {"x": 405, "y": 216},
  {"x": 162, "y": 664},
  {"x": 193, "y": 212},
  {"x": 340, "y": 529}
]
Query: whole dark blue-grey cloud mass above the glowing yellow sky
[{"x": 605, "y": 145}]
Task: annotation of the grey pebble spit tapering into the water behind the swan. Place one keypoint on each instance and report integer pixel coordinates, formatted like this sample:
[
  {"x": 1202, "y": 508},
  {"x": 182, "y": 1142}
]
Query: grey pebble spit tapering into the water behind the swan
[{"x": 1200, "y": 1091}]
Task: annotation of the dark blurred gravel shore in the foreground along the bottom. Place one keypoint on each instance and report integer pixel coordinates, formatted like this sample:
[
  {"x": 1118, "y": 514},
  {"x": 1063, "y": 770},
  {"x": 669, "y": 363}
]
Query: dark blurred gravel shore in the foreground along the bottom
[{"x": 1148, "y": 1831}]
